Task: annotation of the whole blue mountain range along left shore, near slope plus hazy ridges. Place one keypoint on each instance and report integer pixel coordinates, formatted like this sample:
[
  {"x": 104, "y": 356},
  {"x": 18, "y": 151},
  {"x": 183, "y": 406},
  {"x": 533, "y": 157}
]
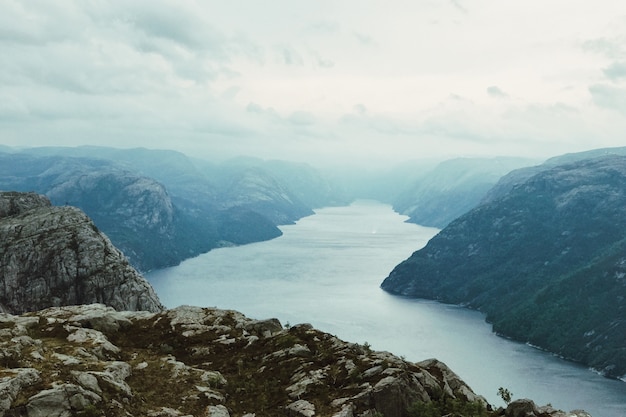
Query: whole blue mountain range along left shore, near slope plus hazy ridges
[{"x": 161, "y": 207}]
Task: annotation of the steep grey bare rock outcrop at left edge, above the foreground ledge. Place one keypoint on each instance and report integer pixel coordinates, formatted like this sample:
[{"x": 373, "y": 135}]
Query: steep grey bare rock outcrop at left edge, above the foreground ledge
[{"x": 52, "y": 256}]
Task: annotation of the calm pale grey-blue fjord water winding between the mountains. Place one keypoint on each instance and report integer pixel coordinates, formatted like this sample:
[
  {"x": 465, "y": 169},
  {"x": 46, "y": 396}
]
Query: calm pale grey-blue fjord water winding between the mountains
[{"x": 326, "y": 270}]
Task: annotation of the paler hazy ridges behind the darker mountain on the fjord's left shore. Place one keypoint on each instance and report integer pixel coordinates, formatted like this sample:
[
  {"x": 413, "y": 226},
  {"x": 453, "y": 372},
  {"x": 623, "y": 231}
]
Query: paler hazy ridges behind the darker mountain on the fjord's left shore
[{"x": 200, "y": 183}]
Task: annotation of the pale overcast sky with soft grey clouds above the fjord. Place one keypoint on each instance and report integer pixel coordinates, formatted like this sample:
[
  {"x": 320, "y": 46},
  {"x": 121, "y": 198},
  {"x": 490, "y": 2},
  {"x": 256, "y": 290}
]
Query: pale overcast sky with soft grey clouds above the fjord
[{"x": 316, "y": 80}]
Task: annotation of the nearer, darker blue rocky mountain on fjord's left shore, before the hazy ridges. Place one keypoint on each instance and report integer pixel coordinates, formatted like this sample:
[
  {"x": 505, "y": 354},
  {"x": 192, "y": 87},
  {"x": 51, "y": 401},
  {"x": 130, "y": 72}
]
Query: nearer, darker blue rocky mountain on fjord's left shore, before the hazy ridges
[{"x": 135, "y": 211}]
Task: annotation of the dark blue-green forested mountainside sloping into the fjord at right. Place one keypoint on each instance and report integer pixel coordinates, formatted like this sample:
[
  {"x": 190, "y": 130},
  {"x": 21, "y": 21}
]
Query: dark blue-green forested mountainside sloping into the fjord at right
[{"x": 545, "y": 260}]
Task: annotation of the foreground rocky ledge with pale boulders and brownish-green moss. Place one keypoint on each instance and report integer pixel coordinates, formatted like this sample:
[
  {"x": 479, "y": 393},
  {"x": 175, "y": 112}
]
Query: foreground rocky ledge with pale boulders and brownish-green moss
[{"x": 93, "y": 360}]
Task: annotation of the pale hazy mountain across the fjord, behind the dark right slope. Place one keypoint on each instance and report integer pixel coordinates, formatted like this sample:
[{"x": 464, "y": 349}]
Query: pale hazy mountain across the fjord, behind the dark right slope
[{"x": 452, "y": 188}]
